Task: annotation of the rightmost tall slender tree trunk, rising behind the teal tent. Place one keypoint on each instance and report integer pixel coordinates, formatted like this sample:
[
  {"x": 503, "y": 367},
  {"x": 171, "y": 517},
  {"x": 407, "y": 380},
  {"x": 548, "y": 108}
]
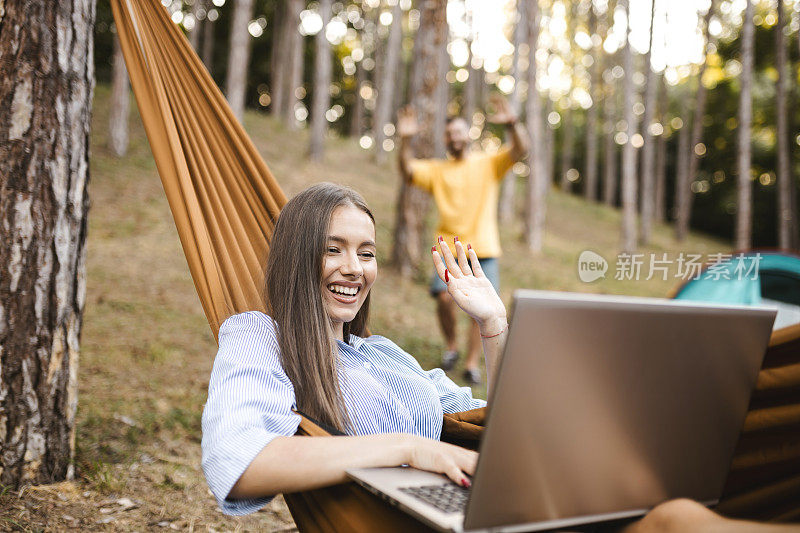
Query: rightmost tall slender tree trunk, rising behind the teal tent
[{"x": 786, "y": 217}]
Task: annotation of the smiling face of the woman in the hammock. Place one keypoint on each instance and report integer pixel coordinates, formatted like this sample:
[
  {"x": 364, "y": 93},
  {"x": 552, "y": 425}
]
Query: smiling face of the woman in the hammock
[{"x": 349, "y": 267}]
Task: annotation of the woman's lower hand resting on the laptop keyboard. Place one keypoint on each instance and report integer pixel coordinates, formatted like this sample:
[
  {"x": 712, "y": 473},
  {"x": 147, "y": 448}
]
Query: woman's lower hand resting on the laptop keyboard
[{"x": 440, "y": 457}]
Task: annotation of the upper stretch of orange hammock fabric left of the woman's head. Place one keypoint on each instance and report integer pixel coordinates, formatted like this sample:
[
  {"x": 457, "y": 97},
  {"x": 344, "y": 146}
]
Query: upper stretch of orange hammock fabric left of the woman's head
[{"x": 222, "y": 195}]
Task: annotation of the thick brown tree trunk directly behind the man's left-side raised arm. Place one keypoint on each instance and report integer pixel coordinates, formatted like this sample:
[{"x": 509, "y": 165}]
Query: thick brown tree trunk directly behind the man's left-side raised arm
[{"x": 412, "y": 203}]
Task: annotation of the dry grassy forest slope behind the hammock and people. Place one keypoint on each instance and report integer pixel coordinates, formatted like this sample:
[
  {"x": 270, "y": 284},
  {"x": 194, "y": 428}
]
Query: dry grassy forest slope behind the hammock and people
[{"x": 147, "y": 349}]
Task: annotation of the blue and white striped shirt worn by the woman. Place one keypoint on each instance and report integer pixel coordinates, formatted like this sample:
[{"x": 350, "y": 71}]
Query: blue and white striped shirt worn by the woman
[{"x": 250, "y": 398}]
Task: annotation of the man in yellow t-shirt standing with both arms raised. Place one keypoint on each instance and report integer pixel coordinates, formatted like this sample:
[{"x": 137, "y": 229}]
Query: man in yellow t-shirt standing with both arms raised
[{"x": 465, "y": 189}]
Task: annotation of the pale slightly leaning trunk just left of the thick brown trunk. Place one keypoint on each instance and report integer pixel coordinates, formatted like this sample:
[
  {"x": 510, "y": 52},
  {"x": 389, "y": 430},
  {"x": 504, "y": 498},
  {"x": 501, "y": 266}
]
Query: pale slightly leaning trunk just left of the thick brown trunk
[{"x": 383, "y": 109}]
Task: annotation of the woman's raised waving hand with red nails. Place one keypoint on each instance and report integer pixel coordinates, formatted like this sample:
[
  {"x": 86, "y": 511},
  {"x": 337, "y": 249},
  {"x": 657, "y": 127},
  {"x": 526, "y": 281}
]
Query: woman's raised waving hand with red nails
[{"x": 469, "y": 287}]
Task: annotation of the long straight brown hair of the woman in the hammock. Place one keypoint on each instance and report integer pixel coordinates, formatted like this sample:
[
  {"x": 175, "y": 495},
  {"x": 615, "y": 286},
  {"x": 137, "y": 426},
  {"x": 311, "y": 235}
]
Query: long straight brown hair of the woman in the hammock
[{"x": 293, "y": 297}]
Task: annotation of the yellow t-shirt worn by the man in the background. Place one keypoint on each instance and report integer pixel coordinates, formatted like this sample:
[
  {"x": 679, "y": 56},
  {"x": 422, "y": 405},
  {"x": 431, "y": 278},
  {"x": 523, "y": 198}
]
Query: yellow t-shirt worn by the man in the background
[{"x": 466, "y": 193}]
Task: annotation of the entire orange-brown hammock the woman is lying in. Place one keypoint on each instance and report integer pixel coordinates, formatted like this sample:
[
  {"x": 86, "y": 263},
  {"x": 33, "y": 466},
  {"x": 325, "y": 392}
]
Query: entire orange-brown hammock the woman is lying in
[{"x": 225, "y": 202}]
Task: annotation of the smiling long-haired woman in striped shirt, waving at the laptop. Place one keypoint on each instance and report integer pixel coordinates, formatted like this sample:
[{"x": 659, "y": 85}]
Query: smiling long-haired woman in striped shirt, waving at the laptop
[{"x": 309, "y": 353}]
